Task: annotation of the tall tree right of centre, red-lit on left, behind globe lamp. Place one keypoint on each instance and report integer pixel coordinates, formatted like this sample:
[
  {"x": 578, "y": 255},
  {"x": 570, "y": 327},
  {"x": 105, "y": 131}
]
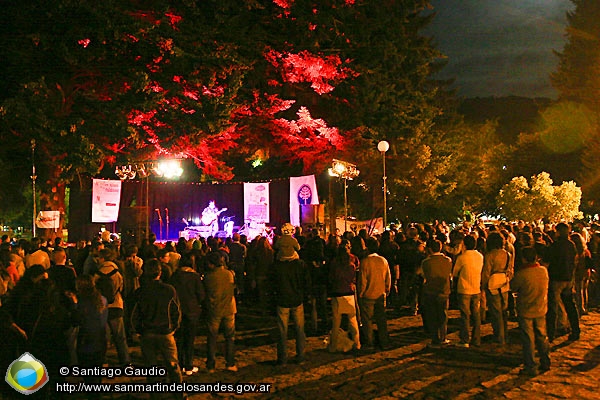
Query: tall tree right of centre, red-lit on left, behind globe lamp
[{"x": 364, "y": 70}]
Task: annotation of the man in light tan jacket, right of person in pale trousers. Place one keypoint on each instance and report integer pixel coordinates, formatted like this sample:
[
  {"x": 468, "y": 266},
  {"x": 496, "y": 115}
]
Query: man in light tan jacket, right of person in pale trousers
[{"x": 374, "y": 283}]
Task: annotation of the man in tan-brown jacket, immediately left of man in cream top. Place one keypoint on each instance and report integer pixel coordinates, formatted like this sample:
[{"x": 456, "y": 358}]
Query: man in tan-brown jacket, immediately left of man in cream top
[{"x": 436, "y": 270}]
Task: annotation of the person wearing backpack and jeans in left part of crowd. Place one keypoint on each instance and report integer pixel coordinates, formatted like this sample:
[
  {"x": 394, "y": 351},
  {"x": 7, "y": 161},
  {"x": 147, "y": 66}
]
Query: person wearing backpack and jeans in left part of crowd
[{"x": 109, "y": 282}]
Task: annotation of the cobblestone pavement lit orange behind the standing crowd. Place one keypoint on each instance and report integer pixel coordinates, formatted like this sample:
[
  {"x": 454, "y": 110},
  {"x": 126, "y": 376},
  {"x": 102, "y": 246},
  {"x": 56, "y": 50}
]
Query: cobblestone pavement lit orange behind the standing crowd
[{"x": 408, "y": 369}]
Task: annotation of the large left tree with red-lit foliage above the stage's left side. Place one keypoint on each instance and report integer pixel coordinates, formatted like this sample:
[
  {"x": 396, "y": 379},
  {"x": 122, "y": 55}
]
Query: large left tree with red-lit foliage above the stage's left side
[{"x": 109, "y": 82}]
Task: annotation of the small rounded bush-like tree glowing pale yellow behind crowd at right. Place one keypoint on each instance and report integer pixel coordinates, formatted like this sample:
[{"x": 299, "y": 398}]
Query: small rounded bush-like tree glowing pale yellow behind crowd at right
[{"x": 538, "y": 199}]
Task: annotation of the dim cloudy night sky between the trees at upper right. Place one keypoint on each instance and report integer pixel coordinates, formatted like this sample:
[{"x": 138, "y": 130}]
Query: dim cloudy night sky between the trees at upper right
[{"x": 500, "y": 47}]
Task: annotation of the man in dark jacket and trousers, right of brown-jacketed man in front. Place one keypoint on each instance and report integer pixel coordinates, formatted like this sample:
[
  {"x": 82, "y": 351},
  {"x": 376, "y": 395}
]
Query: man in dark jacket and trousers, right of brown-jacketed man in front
[{"x": 561, "y": 269}]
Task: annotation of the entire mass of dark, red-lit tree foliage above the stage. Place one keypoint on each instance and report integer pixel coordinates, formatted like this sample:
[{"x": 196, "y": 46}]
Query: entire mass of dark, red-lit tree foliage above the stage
[{"x": 218, "y": 81}]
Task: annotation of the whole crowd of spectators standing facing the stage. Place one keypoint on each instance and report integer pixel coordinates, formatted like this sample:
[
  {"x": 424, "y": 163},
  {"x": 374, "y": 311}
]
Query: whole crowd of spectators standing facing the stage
[{"x": 62, "y": 302}]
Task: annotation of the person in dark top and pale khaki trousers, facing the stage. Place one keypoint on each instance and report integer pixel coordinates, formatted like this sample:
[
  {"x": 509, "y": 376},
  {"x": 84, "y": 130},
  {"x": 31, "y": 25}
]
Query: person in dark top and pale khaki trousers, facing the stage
[{"x": 342, "y": 282}]
